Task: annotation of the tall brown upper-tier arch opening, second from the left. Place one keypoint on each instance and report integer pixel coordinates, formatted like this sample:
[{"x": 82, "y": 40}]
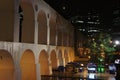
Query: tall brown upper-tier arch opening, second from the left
[{"x": 28, "y": 24}]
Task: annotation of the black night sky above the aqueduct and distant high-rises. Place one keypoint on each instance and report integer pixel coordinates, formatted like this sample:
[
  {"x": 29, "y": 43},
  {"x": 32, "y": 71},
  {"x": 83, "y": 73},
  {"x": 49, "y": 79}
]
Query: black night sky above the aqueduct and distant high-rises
[{"x": 71, "y": 8}]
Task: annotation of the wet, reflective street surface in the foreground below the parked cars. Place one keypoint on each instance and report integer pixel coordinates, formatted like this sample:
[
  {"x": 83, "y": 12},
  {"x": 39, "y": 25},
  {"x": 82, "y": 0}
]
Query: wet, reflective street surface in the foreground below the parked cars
[{"x": 79, "y": 76}]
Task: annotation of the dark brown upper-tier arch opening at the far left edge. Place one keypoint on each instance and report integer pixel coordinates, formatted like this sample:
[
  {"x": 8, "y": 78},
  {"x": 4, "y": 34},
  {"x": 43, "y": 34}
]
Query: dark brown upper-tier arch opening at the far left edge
[{"x": 6, "y": 20}]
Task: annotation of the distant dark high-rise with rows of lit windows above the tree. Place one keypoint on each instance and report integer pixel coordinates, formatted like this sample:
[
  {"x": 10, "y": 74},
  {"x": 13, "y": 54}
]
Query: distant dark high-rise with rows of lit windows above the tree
[{"x": 90, "y": 24}]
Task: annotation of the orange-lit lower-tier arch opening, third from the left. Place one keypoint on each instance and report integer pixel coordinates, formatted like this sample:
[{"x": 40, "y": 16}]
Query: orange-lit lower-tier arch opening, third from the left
[{"x": 44, "y": 63}]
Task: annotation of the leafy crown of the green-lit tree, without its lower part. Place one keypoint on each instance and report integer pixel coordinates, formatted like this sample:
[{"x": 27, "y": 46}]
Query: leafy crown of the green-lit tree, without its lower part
[{"x": 102, "y": 42}]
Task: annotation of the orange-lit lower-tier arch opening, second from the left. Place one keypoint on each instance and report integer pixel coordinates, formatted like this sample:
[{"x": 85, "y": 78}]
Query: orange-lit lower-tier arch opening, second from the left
[{"x": 27, "y": 65}]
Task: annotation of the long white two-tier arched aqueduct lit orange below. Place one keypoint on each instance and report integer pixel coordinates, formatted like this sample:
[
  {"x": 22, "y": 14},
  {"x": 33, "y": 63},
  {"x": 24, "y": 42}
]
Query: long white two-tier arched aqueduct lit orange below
[{"x": 34, "y": 39}]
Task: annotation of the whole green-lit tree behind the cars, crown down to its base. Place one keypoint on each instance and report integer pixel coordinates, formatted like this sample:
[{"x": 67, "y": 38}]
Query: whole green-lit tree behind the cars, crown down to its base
[{"x": 101, "y": 46}]
